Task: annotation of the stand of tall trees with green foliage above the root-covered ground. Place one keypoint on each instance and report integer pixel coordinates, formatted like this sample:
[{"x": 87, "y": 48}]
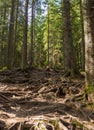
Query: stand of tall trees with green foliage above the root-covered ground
[{"x": 41, "y": 33}]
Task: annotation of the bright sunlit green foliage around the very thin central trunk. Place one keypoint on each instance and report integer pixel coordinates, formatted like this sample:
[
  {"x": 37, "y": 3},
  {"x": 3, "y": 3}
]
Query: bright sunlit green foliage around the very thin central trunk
[{"x": 54, "y": 21}]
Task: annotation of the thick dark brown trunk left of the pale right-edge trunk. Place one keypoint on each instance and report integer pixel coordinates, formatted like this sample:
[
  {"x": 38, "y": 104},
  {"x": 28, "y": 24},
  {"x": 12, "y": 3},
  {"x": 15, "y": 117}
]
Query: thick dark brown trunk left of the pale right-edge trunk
[{"x": 69, "y": 55}]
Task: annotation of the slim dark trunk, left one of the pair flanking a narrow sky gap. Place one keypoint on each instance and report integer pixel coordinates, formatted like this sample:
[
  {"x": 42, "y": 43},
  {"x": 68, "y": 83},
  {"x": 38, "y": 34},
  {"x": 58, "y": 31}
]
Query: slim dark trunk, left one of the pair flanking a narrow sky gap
[{"x": 24, "y": 54}]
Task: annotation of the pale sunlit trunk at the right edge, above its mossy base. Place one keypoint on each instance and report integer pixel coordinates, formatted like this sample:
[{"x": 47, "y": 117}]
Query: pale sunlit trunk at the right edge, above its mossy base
[{"x": 88, "y": 12}]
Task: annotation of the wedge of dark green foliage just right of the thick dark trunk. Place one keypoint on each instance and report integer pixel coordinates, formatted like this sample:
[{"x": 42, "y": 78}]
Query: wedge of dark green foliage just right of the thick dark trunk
[{"x": 76, "y": 30}]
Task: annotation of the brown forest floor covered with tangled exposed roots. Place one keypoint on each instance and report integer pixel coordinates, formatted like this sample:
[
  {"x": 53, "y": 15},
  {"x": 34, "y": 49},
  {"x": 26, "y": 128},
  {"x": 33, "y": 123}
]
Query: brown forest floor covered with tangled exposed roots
[{"x": 43, "y": 100}]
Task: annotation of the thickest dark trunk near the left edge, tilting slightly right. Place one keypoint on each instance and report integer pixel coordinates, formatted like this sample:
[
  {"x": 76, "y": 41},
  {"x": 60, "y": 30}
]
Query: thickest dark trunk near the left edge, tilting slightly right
[{"x": 10, "y": 35}]
